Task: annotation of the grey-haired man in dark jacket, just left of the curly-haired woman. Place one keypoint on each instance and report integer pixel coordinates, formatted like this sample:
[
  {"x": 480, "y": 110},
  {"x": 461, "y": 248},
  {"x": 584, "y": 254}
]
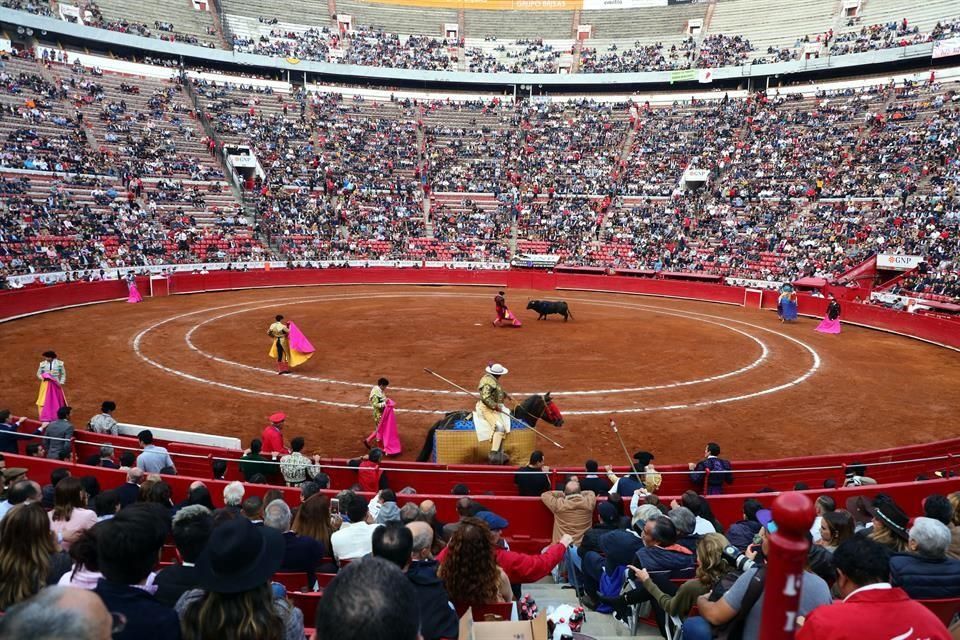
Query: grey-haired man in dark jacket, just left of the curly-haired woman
[{"x": 438, "y": 619}]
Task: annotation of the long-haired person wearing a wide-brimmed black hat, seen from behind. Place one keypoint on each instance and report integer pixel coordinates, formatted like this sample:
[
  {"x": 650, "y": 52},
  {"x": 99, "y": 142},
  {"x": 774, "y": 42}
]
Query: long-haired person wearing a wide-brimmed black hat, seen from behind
[{"x": 235, "y": 593}]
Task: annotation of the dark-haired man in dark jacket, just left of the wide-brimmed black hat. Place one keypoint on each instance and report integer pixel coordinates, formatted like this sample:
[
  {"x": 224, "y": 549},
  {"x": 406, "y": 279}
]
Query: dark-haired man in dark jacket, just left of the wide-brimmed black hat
[{"x": 192, "y": 527}]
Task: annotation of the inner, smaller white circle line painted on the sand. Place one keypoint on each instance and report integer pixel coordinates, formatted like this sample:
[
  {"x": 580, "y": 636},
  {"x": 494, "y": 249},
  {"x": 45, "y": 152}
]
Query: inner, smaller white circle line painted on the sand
[{"x": 764, "y": 354}]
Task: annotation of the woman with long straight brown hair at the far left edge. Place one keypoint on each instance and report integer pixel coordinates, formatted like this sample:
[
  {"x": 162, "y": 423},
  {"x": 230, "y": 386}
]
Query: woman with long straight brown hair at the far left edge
[{"x": 29, "y": 558}]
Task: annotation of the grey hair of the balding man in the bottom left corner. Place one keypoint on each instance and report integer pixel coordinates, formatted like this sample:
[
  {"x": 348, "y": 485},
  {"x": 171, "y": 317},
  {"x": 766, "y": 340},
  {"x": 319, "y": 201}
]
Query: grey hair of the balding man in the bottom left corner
[{"x": 39, "y": 618}]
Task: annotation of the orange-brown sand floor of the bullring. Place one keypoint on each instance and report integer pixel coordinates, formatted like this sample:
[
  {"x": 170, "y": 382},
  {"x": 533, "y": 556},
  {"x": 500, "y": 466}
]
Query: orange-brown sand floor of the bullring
[{"x": 672, "y": 373}]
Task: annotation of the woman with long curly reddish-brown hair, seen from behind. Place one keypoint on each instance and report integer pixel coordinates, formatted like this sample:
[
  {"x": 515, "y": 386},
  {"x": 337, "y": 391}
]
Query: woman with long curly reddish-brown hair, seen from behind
[{"x": 469, "y": 570}]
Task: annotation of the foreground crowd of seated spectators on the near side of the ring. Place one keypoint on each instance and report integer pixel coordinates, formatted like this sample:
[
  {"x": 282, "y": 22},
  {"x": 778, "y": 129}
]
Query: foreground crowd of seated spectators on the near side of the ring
[{"x": 257, "y": 564}]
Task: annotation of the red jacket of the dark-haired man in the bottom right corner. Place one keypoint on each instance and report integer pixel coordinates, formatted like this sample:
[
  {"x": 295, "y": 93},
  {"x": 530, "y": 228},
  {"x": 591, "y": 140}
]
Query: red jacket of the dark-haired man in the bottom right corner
[{"x": 874, "y": 614}]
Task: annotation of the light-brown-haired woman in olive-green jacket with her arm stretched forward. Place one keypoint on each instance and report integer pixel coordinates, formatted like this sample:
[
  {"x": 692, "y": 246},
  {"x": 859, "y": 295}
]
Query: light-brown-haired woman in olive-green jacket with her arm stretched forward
[{"x": 711, "y": 567}]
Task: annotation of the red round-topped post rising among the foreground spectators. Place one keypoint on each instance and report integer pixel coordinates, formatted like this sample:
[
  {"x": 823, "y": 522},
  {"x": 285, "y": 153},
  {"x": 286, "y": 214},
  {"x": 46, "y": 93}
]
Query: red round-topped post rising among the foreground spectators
[{"x": 793, "y": 513}]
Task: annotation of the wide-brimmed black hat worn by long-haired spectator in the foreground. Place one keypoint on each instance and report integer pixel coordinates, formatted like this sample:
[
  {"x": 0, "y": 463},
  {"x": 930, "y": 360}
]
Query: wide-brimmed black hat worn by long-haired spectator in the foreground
[{"x": 239, "y": 556}]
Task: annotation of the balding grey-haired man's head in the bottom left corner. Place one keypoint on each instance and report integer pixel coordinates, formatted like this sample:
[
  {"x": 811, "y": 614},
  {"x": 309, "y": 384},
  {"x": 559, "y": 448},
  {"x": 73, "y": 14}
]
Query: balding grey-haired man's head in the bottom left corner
[{"x": 56, "y": 613}]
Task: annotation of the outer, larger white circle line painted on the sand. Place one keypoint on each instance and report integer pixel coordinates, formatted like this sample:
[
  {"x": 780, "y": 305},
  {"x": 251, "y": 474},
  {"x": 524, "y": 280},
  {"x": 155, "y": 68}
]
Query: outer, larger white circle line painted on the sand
[{"x": 813, "y": 368}]
